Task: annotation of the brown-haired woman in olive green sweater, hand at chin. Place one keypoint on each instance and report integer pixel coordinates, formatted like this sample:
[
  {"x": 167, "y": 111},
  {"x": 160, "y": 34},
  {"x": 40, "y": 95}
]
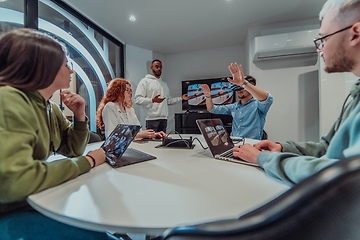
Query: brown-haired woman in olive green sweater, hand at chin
[{"x": 33, "y": 66}]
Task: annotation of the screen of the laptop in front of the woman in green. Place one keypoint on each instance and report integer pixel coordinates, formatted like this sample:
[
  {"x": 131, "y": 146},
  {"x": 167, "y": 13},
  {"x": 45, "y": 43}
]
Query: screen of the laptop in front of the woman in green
[{"x": 118, "y": 141}]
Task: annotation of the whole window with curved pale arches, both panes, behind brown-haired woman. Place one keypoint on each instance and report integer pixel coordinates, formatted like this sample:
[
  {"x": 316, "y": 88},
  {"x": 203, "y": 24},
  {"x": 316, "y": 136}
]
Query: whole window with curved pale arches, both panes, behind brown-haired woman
[{"x": 94, "y": 58}]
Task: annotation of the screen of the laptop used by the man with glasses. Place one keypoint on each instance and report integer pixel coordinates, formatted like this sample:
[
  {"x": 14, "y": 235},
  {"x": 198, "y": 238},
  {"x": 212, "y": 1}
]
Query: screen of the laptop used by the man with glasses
[{"x": 215, "y": 135}]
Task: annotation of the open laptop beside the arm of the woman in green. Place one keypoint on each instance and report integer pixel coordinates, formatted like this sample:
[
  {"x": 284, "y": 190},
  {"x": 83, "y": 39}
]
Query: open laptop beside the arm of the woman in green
[{"x": 116, "y": 147}]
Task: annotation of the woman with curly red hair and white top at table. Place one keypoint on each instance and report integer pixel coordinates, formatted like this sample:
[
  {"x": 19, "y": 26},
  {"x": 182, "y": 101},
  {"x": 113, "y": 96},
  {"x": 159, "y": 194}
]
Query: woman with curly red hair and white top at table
[{"x": 116, "y": 107}]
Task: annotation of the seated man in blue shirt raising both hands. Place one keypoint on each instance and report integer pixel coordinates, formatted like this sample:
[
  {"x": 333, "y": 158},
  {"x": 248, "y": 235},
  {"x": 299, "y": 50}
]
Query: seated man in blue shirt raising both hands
[{"x": 249, "y": 114}]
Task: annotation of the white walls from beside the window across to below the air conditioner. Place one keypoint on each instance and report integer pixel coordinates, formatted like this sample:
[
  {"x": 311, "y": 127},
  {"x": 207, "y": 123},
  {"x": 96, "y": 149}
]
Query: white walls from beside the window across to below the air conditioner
[{"x": 293, "y": 83}]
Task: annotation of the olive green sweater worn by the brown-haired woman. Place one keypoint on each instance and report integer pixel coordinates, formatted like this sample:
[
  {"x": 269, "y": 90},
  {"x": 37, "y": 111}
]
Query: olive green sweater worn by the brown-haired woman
[{"x": 28, "y": 123}]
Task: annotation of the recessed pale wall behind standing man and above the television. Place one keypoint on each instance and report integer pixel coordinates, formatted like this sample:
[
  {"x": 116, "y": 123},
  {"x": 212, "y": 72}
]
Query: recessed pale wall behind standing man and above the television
[{"x": 208, "y": 63}]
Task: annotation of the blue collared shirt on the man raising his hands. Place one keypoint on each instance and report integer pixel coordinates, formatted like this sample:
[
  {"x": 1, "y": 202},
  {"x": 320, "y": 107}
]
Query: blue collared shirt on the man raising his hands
[{"x": 248, "y": 119}]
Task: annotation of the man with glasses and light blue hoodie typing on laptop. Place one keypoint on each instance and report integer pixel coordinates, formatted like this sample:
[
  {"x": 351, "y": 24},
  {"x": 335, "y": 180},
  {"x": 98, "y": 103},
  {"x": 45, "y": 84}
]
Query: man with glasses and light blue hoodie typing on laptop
[{"x": 339, "y": 46}]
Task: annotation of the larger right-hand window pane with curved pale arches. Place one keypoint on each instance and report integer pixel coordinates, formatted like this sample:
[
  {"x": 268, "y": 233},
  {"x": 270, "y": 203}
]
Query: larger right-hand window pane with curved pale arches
[{"x": 95, "y": 59}]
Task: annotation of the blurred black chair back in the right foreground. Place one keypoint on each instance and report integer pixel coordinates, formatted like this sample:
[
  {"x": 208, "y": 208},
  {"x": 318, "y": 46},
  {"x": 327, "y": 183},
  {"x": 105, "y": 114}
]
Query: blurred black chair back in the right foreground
[{"x": 323, "y": 206}]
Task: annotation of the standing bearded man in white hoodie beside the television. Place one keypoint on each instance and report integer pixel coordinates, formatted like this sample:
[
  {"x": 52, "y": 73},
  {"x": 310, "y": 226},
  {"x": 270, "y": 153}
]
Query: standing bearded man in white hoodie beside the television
[{"x": 151, "y": 94}]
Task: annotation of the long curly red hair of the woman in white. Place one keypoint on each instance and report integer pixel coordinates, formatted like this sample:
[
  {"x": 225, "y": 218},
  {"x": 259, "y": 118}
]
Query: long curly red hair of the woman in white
[{"x": 114, "y": 92}]
